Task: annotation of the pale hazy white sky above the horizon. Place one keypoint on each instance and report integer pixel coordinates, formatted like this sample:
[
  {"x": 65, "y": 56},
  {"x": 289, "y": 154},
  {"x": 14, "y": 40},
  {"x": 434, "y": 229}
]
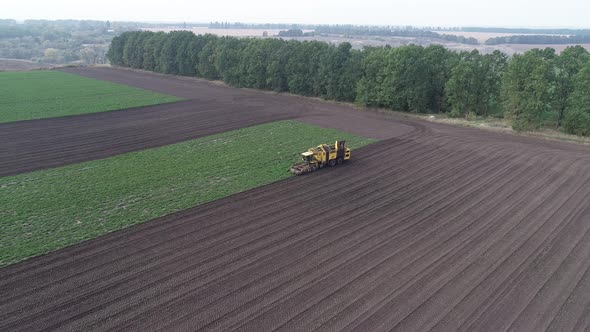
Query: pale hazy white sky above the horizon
[{"x": 512, "y": 13}]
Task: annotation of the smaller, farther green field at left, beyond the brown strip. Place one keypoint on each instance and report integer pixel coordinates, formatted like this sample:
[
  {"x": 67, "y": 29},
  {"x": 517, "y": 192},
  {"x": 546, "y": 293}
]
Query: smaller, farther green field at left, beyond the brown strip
[{"x": 47, "y": 94}]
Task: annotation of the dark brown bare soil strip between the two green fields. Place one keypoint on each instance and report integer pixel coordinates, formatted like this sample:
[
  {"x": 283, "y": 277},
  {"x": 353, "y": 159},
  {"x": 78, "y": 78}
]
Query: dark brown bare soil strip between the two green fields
[{"x": 39, "y": 144}]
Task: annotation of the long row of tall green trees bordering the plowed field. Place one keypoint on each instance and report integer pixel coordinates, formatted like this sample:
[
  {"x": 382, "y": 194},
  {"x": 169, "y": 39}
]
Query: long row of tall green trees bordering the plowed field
[{"x": 535, "y": 89}]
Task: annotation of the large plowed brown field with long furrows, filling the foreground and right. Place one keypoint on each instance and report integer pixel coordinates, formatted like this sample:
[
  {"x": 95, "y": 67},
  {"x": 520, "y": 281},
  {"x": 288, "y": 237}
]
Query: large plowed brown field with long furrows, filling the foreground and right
[{"x": 435, "y": 227}]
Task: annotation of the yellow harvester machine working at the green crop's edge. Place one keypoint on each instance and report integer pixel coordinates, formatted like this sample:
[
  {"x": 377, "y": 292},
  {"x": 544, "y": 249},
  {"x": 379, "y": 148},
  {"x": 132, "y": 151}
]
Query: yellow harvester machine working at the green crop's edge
[{"x": 321, "y": 156}]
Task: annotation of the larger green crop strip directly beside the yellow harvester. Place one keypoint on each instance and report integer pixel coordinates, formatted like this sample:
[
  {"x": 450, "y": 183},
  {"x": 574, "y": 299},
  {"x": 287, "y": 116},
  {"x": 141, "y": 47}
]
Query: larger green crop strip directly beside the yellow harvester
[{"x": 50, "y": 209}]
